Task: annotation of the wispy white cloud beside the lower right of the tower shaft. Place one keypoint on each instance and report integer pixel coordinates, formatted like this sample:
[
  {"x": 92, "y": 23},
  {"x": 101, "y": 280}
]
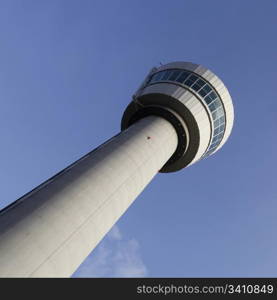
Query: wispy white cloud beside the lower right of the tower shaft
[{"x": 114, "y": 257}]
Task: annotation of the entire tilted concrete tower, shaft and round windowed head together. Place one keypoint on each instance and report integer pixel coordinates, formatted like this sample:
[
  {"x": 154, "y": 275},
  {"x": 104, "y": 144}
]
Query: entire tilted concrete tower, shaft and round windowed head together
[{"x": 181, "y": 113}]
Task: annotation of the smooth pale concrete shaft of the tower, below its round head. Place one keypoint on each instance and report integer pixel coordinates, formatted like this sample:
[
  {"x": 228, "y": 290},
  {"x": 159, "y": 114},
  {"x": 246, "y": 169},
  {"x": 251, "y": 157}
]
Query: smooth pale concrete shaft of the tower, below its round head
[{"x": 55, "y": 227}]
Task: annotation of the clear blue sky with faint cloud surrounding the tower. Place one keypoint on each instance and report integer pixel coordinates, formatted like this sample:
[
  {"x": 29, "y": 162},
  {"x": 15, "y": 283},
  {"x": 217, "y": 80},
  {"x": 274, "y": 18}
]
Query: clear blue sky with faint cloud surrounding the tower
[{"x": 67, "y": 71}]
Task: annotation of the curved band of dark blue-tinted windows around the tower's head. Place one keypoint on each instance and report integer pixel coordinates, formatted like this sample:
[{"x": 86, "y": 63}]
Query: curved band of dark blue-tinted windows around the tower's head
[{"x": 206, "y": 92}]
